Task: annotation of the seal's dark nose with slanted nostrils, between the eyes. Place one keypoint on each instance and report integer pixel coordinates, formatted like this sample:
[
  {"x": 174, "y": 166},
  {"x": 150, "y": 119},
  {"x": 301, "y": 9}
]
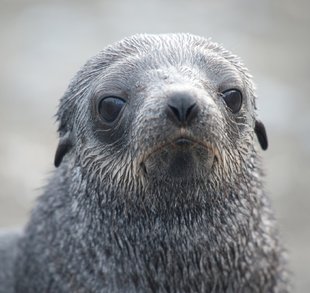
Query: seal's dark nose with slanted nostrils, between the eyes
[{"x": 181, "y": 107}]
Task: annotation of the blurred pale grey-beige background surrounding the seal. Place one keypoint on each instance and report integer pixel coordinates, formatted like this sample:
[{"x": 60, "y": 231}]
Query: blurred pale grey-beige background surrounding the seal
[{"x": 43, "y": 44}]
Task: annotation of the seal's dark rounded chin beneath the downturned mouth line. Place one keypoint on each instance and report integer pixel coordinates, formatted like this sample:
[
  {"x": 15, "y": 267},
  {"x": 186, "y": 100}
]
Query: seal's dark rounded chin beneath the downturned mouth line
[{"x": 182, "y": 158}]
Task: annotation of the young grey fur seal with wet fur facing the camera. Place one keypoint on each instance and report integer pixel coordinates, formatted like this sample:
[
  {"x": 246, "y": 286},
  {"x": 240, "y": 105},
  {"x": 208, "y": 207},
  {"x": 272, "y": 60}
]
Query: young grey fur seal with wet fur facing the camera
[{"x": 159, "y": 183}]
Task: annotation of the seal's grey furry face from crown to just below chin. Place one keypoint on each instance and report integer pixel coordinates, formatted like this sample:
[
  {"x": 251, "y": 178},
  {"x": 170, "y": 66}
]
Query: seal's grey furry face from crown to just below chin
[{"x": 161, "y": 109}]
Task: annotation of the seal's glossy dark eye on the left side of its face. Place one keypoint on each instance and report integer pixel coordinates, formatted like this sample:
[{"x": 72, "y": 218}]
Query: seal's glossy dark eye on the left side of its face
[{"x": 110, "y": 107}]
